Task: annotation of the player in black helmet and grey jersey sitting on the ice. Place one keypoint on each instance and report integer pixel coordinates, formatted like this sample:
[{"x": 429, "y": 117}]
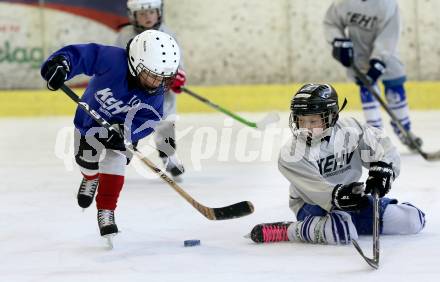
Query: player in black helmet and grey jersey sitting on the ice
[{"x": 323, "y": 162}]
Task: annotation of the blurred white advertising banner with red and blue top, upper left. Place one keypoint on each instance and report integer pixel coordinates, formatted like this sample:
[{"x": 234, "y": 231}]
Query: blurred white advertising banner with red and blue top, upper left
[{"x": 31, "y": 30}]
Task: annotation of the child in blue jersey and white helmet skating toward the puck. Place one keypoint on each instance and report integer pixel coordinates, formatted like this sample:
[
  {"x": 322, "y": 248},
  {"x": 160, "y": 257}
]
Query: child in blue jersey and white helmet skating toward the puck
[{"x": 127, "y": 89}]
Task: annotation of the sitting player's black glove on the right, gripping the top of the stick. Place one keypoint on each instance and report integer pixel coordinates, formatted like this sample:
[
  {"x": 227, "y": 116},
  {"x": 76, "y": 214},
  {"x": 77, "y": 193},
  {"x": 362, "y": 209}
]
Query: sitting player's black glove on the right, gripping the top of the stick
[{"x": 380, "y": 176}]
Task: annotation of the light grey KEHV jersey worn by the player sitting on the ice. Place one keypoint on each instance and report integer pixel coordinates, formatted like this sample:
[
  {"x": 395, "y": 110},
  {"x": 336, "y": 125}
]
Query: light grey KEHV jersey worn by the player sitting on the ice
[{"x": 313, "y": 171}]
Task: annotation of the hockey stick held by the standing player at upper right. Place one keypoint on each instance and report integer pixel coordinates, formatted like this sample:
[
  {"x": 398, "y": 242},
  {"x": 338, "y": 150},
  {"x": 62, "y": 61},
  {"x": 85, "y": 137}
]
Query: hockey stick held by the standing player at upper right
[{"x": 363, "y": 78}]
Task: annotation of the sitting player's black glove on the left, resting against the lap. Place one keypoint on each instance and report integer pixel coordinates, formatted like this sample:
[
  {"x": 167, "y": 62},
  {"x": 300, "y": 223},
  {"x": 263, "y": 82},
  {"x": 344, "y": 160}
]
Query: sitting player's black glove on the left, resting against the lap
[{"x": 349, "y": 197}]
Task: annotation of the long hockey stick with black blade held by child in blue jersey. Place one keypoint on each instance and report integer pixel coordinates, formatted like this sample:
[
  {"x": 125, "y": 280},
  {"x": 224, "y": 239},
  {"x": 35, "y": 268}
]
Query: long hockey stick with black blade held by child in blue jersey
[{"x": 233, "y": 211}]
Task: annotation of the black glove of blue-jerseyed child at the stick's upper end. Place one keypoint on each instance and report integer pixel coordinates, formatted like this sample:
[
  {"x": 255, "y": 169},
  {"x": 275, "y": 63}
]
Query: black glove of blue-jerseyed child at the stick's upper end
[{"x": 55, "y": 72}]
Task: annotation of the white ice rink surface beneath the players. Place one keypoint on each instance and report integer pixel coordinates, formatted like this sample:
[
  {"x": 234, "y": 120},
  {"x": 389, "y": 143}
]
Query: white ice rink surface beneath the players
[{"x": 44, "y": 235}]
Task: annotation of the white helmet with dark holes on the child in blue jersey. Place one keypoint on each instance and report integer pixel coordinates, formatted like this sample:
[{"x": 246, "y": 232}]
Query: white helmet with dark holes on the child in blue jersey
[{"x": 154, "y": 53}]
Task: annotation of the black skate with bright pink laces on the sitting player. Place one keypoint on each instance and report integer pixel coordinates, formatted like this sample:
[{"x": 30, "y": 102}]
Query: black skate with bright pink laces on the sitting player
[{"x": 270, "y": 232}]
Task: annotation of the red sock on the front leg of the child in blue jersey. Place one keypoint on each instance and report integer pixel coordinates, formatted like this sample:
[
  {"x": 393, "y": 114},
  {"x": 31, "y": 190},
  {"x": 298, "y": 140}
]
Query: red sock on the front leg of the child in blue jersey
[{"x": 110, "y": 186}]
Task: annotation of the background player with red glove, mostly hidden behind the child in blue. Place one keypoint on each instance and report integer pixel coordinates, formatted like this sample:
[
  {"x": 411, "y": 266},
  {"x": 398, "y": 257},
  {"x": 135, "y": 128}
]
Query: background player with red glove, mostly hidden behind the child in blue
[{"x": 145, "y": 15}]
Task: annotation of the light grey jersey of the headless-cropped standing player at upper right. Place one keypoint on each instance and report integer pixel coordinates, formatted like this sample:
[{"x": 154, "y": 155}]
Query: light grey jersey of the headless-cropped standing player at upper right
[{"x": 374, "y": 28}]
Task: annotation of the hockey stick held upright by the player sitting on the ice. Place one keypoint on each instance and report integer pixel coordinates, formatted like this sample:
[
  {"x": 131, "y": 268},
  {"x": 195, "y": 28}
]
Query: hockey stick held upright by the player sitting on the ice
[{"x": 374, "y": 261}]
